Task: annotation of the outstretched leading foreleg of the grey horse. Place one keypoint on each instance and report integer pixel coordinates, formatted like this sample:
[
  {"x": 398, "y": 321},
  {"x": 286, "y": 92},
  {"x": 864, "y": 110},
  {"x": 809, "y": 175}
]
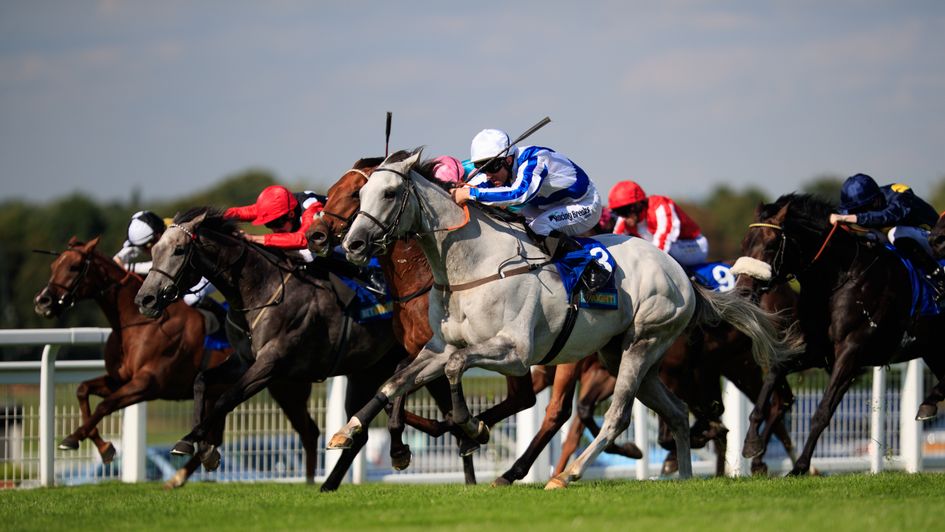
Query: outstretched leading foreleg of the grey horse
[{"x": 427, "y": 366}]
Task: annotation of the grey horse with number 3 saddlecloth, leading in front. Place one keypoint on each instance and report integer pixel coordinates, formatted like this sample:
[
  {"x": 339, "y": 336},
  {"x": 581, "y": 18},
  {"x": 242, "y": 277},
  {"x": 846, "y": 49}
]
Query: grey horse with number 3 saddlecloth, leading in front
[{"x": 511, "y": 322}]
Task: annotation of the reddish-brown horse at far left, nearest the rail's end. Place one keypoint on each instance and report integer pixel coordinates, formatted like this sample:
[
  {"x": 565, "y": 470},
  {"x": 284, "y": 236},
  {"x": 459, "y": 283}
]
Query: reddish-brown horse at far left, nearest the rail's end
[{"x": 148, "y": 359}]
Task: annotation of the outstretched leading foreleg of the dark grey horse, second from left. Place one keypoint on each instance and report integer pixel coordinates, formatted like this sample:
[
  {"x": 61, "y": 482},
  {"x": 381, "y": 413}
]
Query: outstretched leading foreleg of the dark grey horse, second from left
[{"x": 257, "y": 377}]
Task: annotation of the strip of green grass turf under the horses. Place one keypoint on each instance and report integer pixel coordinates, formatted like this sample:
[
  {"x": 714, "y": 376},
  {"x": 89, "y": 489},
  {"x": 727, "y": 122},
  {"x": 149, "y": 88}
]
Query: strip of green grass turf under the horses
[{"x": 845, "y": 502}]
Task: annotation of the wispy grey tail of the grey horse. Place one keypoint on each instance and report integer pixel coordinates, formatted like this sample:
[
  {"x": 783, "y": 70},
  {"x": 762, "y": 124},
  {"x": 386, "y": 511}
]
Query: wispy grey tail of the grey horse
[{"x": 771, "y": 344}]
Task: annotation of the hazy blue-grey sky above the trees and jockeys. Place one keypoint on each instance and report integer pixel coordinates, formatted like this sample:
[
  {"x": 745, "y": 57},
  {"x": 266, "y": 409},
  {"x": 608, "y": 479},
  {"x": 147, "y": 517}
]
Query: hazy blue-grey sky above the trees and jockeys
[{"x": 166, "y": 98}]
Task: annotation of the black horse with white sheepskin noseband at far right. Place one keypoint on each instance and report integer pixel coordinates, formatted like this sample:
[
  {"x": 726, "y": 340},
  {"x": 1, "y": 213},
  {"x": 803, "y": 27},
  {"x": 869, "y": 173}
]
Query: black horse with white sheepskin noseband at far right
[{"x": 855, "y": 306}]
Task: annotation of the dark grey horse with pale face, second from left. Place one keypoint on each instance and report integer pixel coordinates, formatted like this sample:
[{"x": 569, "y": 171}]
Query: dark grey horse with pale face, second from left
[{"x": 295, "y": 320}]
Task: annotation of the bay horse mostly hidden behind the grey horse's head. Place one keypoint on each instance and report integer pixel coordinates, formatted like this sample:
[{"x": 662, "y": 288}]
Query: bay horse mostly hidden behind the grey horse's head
[{"x": 410, "y": 280}]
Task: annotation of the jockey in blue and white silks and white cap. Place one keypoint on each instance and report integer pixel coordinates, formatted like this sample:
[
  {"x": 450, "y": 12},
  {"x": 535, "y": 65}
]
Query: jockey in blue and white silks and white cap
[{"x": 550, "y": 190}]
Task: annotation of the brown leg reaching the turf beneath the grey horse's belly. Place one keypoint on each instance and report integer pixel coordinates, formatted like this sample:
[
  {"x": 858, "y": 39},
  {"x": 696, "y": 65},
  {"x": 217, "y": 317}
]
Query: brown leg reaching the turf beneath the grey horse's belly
[{"x": 558, "y": 411}]
